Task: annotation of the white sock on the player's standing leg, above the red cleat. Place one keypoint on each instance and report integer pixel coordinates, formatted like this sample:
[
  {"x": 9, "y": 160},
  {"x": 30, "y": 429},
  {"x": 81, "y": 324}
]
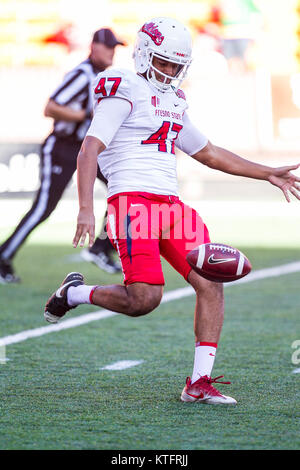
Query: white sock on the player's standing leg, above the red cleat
[{"x": 204, "y": 359}]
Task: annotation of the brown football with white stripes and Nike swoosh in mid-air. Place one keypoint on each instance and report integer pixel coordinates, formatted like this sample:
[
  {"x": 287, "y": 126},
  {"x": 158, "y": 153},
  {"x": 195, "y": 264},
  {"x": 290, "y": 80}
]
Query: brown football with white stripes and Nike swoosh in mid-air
[{"x": 218, "y": 262}]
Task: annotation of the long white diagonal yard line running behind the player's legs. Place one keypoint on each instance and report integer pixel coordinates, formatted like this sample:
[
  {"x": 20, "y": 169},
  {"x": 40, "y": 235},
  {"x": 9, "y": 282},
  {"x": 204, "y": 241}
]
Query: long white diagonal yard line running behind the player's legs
[{"x": 167, "y": 297}]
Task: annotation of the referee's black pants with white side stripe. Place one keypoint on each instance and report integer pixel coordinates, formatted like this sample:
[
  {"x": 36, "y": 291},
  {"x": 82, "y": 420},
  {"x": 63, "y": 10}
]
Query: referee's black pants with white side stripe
[{"x": 58, "y": 164}]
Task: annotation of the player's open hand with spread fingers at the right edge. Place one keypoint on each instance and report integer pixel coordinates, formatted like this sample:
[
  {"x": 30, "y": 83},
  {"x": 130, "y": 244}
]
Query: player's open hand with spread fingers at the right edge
[{"x": 286, "y": 181}]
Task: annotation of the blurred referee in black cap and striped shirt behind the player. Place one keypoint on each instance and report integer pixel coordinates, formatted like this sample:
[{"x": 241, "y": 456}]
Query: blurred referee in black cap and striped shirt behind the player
[{"x": 71, "y": 107}]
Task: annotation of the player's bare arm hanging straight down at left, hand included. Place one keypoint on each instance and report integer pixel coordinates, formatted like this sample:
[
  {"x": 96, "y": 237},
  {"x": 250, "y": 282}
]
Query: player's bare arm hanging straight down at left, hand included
[{"x": 86, "y": 175}]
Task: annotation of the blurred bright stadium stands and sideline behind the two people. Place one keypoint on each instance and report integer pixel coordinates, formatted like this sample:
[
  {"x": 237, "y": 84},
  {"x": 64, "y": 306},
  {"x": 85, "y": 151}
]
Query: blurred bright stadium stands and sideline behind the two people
[{"x": 243, "y": 89}]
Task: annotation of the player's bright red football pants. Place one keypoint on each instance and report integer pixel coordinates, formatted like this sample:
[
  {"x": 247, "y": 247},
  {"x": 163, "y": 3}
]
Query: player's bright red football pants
[{"x": 144, "y": 226}]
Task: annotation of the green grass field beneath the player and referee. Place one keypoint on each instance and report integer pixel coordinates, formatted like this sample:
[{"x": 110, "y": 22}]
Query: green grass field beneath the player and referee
[{"x": 56, "y": 395}]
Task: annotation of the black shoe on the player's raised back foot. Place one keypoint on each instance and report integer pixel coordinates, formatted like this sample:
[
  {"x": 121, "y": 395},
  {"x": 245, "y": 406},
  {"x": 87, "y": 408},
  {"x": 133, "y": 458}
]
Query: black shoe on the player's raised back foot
[{"x": 57, "y": 305}]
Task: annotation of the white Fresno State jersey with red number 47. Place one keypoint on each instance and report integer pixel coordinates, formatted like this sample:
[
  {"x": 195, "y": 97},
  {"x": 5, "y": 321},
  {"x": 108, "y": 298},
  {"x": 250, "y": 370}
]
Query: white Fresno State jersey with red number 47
[{"x": 140, "y": 152}]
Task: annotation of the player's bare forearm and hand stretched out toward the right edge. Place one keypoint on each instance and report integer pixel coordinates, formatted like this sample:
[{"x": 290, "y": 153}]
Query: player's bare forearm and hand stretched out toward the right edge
[{"x": 228, "y": 162}]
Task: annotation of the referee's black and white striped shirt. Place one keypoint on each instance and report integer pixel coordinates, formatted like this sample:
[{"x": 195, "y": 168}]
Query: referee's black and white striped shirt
[{"x": 76, "y": 91}]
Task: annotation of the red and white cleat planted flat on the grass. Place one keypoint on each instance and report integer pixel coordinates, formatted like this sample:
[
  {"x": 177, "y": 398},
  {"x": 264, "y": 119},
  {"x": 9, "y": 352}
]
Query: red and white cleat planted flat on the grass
[{"x": 202, "y": 391}]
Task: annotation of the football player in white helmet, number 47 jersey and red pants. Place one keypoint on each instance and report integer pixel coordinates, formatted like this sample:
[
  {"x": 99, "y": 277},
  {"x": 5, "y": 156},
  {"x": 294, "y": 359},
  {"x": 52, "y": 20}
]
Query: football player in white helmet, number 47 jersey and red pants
[{"x": 139, "y": 120}]
